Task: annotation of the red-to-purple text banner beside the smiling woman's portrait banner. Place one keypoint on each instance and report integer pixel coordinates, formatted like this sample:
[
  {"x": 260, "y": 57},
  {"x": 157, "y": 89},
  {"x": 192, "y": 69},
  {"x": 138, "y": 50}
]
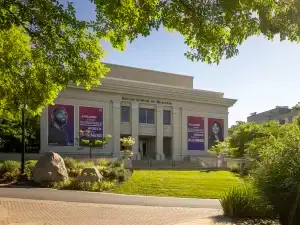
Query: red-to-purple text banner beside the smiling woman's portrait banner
[{"x": 195, "y": 129}]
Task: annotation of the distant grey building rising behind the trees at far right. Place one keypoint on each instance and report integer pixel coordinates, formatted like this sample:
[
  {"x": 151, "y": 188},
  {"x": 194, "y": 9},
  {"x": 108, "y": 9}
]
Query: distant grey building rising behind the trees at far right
[{"x": 281, "y": 114}]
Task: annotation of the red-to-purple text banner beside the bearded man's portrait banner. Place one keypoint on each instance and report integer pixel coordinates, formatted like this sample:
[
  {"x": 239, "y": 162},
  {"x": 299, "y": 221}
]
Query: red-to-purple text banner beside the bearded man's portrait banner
[{"x": 91, "y": 122}]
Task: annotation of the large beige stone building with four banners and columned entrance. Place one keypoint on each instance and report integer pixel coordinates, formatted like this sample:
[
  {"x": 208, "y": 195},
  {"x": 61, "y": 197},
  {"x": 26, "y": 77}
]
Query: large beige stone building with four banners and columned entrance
[{"x": 161, "y": 111}]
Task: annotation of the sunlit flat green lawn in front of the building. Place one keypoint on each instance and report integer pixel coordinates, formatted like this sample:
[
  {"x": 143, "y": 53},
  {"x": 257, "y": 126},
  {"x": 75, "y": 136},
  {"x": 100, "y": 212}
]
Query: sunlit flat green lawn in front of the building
[{"x": 193, "y": 184}]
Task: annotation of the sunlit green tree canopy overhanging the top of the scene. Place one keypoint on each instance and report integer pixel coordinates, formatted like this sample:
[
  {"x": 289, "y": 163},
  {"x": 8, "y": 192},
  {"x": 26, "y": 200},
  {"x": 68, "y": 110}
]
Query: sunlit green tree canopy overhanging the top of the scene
[{"x": 44, "y": 47}]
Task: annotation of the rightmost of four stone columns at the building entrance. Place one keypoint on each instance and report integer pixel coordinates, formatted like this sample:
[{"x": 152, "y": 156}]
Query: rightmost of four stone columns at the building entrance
[{"x": 176, "y": 133}]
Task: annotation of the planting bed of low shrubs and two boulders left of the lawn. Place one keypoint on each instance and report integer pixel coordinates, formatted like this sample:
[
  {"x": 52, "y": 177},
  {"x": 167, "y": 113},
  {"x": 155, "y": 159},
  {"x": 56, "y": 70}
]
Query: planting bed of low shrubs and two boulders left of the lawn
[{"x": 101, "y": 175}]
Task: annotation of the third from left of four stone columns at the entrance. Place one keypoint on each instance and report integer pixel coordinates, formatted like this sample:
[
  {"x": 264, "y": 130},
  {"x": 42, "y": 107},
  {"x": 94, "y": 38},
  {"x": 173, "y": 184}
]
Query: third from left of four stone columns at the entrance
[{"x": 159, "y": 133}]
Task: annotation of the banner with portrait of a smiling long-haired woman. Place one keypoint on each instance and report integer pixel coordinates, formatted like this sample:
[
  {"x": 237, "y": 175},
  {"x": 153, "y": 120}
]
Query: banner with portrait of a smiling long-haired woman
[{"x": 215, "y": 131}]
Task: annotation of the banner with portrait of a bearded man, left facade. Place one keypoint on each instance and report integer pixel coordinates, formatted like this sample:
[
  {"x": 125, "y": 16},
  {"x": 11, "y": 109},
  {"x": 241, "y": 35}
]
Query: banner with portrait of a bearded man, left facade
[{"x": 61, "y": 125}]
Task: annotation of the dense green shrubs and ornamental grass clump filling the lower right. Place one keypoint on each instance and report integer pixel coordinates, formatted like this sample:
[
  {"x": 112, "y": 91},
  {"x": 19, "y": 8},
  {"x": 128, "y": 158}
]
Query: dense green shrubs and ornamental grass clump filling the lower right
[{"x": 272, "y": 170}]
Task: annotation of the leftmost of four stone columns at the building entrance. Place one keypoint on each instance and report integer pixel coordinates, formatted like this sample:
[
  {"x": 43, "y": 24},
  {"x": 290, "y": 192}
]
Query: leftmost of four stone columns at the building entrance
[{"x": 116, "y": 129}]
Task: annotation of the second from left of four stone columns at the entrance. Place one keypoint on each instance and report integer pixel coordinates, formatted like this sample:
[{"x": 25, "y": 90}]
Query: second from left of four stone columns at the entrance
[{"x": 135, "y": 129}]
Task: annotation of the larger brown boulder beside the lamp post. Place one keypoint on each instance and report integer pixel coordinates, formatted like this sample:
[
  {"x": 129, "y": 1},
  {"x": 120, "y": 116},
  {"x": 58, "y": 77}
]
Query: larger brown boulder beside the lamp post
[{"x": 50, "y": 168}]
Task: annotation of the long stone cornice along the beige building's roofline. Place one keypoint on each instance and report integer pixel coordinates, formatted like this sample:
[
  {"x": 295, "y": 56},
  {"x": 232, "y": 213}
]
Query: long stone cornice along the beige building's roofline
[{"x": 128, "y": 87}]
